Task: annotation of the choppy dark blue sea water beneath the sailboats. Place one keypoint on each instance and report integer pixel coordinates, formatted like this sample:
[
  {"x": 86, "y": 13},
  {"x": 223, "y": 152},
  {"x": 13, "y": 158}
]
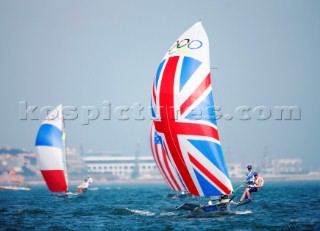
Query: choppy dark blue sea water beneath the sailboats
[{"x": 278, "y": 206}]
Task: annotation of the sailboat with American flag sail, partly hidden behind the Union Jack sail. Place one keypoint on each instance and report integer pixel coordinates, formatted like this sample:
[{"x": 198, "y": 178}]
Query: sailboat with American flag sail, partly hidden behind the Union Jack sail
[{"x": 166, "y": 167}]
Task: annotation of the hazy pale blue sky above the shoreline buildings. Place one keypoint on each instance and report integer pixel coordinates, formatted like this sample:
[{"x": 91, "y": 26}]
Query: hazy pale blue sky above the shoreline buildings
[{"x": 82, "y": 53}]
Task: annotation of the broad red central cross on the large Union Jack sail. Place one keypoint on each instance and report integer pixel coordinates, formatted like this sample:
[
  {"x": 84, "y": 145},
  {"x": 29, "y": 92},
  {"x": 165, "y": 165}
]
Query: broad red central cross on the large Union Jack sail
[{"x": 171, "y": 127}]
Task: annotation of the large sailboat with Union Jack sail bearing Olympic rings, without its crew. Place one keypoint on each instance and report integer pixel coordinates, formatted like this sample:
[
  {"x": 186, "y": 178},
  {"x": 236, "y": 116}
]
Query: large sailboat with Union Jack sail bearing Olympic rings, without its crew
[{"x": 183, "y": 116}]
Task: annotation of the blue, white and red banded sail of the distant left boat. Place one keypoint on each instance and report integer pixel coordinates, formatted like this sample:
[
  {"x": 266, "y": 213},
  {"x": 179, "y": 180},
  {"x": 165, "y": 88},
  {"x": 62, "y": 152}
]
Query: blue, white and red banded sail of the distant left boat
[{"x": 51, "y": 156}]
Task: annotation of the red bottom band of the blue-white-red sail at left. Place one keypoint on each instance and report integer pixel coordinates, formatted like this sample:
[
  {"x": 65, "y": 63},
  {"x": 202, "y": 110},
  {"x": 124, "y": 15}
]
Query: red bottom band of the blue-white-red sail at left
[{"x": 55, "y": 180}]
